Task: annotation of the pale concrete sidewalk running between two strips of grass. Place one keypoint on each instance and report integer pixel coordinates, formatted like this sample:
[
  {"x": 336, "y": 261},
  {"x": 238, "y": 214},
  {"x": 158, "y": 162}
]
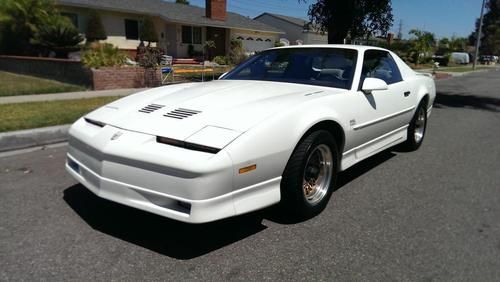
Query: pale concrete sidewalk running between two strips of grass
[{"x": 68, "y": 95}]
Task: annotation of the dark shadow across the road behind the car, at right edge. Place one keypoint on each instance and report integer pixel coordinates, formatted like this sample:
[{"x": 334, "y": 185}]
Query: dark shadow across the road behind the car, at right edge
[{"x": 454, "y": 100}]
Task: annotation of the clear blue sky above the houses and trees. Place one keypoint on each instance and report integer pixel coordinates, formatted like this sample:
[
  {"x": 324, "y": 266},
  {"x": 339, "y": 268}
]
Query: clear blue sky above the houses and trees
[{"x": 444, "y": 18}]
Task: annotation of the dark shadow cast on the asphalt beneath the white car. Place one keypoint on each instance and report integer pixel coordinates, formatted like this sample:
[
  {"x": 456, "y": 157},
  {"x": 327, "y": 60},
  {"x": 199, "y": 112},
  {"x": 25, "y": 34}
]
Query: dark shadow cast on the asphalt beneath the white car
[{"x": 180, "y": 240}]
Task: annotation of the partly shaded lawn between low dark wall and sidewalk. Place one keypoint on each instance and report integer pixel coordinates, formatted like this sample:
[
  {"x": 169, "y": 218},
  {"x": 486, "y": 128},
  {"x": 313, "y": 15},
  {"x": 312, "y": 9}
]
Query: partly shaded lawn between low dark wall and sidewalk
[{"x": 15, "y": 84}]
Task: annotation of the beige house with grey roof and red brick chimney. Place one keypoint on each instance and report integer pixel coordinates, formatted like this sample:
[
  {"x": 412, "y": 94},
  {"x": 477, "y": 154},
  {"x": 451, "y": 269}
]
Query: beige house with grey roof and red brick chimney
[{"x": 178, "y": 26}]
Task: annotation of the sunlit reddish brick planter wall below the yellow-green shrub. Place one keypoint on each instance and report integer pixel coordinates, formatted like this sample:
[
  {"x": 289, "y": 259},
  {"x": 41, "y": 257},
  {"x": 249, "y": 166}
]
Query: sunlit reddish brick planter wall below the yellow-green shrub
[{"x": 125, "y": 77}]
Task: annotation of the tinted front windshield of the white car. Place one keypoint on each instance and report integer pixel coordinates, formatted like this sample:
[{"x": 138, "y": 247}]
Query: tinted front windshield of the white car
[{"x": 333, "y": 67}]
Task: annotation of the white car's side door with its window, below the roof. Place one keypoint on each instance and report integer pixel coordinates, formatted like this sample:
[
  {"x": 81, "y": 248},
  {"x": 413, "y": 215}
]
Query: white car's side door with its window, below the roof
[{"x": 381, "y": 112}]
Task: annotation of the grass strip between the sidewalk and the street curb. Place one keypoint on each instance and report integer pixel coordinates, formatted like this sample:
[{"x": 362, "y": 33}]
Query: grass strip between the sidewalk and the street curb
[{"x": 39, "y": 114}]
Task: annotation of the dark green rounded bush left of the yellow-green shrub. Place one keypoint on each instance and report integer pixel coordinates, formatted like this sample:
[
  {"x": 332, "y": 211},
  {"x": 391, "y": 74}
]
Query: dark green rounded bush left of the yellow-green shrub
[{"x": 57, "y": 34}]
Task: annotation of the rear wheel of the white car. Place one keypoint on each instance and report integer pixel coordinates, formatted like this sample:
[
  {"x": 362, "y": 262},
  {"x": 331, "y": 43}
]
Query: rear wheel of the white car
[{"x": 416, "y": 129}]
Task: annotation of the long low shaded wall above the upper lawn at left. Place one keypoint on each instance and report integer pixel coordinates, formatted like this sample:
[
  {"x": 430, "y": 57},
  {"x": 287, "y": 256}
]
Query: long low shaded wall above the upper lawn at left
[{"x": 58, "y": 69}]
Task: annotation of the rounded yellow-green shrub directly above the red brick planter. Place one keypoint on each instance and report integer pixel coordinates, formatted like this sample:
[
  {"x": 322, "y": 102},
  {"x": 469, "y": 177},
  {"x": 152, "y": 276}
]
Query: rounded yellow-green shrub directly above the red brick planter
[{"x": 98, "y": 55}]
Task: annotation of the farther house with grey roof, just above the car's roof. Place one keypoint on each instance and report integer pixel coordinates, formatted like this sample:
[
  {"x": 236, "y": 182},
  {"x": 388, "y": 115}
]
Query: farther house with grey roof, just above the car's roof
[{"x": 297, "y": 31}]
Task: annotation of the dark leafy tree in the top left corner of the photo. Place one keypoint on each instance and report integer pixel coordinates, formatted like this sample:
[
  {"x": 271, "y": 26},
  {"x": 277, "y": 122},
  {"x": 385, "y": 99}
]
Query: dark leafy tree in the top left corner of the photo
[{"x": 19, "y": 20}]
